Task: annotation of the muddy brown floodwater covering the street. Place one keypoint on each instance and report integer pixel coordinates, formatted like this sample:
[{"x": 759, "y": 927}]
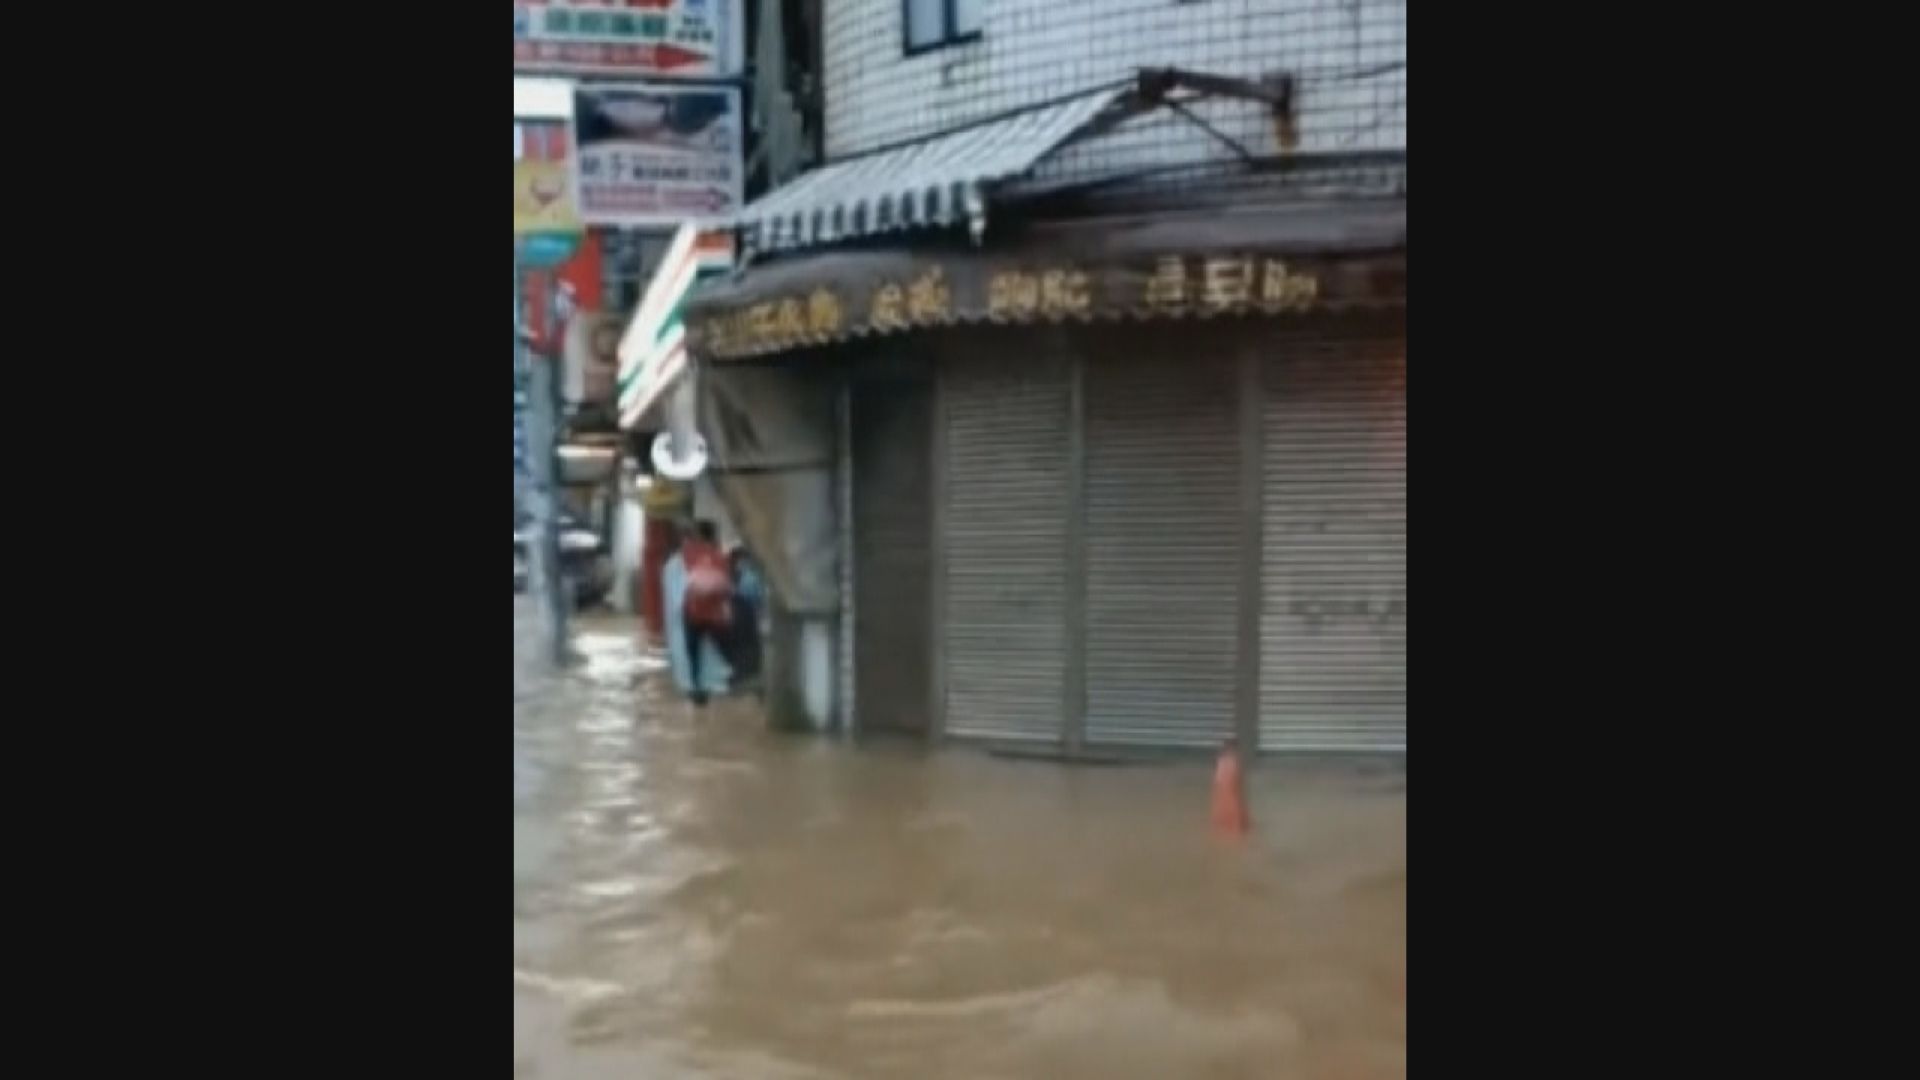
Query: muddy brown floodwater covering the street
[{"x": 700, "y": 898}]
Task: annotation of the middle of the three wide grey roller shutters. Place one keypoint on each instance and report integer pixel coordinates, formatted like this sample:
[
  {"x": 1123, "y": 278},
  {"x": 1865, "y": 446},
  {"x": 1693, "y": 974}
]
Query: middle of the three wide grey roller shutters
[{"x": 1163, "y": 545}]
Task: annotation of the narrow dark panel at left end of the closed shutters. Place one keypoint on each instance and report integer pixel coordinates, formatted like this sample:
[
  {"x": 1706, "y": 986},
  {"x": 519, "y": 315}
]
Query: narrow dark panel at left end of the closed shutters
[{"x": 892, "y": 539}]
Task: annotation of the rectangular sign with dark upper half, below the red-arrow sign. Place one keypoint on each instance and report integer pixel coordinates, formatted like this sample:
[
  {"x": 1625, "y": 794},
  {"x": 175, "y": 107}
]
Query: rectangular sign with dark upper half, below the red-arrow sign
[{"x": 656, "y": 157}]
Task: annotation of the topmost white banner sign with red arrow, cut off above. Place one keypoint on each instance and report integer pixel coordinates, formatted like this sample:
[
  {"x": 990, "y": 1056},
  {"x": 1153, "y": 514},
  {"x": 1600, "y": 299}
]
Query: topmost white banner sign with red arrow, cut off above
[{"x": 686, "y": 39}]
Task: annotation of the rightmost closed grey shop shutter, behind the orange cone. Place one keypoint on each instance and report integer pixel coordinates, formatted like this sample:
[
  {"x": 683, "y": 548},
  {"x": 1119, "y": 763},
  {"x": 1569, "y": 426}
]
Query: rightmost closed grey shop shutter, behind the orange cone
[{"x": 1335, "y": 516}]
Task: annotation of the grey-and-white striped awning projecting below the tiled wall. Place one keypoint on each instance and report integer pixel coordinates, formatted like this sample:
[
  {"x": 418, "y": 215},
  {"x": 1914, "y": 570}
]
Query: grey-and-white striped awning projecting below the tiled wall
[{"x": 934, "y": 184}]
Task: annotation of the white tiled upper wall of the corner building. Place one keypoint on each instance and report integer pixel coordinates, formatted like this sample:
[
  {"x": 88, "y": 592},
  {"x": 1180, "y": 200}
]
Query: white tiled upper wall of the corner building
[{"x": 1038, "y": 51}]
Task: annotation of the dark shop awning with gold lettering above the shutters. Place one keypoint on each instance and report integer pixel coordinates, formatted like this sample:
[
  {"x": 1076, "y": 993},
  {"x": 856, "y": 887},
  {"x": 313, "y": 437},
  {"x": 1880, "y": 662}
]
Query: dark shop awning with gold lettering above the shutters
[{"x": 1207, "y": 262}]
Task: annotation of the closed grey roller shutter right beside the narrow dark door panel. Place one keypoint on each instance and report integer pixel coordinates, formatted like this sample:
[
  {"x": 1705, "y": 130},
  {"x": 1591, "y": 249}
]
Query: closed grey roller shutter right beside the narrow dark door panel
[{"x": 1005, "y": 547}]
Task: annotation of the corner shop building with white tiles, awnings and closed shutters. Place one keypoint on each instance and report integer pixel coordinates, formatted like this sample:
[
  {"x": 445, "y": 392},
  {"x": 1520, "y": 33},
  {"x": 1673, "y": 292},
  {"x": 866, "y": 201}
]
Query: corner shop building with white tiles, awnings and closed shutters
[{"x": 1105, "y": 305}]
